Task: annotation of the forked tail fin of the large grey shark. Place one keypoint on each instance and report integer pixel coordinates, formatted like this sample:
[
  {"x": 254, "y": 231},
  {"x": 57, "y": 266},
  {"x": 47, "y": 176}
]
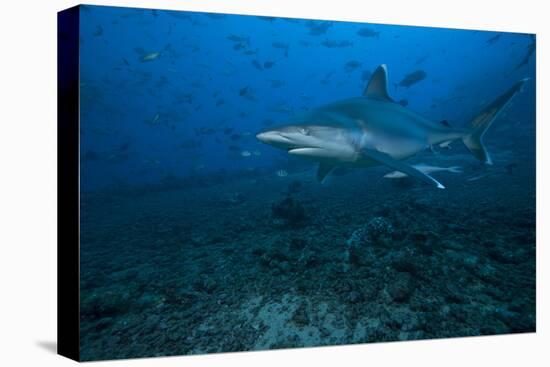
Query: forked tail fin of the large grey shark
[{"x": 479, "y": 124}]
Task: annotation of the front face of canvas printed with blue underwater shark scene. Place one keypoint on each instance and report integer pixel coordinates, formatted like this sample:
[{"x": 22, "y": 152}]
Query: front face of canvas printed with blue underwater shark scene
[{"x": 252, "y": 183}]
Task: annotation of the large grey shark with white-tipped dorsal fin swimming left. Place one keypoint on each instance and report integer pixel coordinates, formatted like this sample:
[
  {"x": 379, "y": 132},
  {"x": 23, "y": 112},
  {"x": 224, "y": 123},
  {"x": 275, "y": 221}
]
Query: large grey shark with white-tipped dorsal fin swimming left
[{"x": 373, "y": 129}]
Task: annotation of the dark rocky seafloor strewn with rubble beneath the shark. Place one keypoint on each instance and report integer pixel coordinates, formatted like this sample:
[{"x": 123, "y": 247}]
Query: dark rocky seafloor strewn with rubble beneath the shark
[{"x": 265, "y": 263}]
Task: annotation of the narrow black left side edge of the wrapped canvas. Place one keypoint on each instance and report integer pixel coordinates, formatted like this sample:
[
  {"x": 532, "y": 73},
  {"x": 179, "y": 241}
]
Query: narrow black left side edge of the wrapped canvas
[{"x": 68, "y": 323}]
